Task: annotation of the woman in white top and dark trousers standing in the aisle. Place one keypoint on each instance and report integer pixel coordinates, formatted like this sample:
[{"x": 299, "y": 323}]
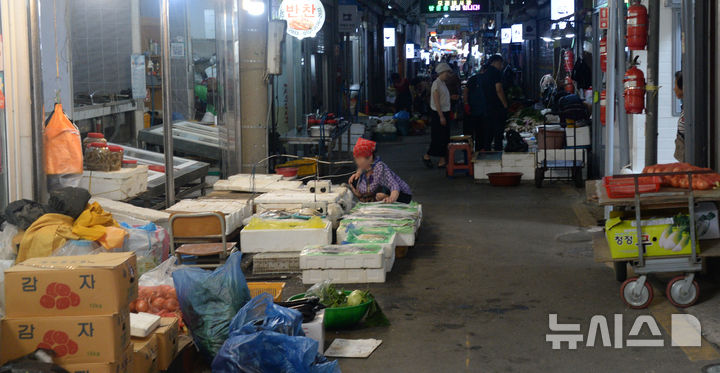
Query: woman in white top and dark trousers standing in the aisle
[{"x": 440, "y": 105}]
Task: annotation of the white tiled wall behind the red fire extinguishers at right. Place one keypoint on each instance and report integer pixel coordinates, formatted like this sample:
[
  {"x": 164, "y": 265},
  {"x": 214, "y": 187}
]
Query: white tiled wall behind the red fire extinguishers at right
[{"x": 667, "y": 123}]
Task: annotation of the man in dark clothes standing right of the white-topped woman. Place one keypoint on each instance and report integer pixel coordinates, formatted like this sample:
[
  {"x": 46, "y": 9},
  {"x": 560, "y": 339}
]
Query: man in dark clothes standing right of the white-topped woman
[{"x": 496, "y": 105}]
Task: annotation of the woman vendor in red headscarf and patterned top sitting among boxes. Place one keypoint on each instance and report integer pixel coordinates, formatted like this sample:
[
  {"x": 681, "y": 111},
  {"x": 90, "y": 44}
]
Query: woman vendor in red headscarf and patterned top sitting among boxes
[{"x": 375, "y": 180}]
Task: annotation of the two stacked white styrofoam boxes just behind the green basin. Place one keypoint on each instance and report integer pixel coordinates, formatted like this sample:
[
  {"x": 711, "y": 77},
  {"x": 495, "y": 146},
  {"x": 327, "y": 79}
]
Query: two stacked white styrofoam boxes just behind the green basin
[{"x": 345, "y": 264}]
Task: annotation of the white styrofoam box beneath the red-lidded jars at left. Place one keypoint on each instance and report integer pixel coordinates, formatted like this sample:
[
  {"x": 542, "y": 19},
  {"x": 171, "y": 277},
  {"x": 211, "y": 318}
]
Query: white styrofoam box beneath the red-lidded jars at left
[{"x": 116, "y": 185}]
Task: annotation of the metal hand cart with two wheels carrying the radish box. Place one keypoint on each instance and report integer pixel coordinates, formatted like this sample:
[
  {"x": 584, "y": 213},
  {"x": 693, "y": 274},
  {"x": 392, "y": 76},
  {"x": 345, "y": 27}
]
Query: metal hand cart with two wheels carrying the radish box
[{"x": 636, "y": 292}]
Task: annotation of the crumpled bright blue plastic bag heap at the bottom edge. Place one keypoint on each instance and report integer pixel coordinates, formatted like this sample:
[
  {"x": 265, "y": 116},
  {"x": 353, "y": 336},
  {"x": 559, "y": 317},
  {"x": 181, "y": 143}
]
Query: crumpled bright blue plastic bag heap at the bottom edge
[{"x": 265, "y": 337}]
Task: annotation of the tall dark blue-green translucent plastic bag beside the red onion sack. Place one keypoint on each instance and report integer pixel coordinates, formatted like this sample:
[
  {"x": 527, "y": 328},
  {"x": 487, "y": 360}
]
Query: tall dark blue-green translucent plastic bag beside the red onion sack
[{"x": 210, "y": 300}]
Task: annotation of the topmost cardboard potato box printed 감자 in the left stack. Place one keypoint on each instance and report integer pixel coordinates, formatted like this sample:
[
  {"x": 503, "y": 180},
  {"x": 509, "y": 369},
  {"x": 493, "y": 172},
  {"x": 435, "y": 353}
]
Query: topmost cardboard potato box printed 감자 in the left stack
[{"x": 100, "y": 284}]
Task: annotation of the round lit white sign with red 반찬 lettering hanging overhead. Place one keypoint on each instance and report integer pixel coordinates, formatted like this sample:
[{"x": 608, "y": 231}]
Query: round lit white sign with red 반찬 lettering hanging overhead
[{"x": 304, "y": 17}]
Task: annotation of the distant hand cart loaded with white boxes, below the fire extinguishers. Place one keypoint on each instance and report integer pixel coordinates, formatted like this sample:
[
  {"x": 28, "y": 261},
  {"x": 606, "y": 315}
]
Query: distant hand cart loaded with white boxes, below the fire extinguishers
[{"x": 557, "y": 162}]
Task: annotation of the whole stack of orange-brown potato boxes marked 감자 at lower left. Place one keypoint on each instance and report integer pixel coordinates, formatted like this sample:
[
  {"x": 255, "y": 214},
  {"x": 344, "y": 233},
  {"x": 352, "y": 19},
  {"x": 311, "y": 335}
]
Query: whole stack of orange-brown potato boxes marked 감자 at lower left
[{"x": 74, "y": 306}]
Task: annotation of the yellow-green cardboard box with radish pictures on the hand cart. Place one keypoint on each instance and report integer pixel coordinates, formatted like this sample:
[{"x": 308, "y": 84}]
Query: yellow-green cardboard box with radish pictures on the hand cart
[{"x": 661, "y": 236}]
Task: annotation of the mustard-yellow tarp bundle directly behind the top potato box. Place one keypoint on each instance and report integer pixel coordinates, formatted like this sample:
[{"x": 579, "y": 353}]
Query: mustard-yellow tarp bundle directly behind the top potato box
[{"x": 46, "y": 234}]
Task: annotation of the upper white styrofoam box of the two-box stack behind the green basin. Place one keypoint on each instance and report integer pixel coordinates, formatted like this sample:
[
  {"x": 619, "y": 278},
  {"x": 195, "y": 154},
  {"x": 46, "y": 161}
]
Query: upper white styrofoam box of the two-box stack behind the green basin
[{"x": 342, "y": 257}]
